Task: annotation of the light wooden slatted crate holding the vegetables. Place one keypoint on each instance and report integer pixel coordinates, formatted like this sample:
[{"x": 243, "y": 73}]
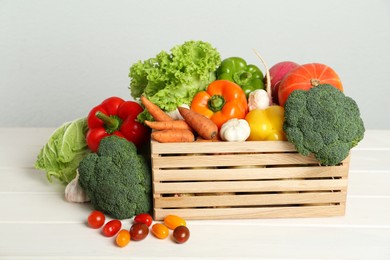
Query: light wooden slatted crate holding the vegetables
[{"x": 220, "y": 180}]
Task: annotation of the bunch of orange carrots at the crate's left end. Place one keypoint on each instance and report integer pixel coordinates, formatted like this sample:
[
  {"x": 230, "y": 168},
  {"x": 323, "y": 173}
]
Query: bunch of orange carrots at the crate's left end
[{"x": 166, "y": 129}]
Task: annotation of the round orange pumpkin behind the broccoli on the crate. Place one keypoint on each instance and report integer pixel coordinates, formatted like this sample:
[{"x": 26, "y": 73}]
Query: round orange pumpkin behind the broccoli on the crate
[{"x": 305, "y": 77}]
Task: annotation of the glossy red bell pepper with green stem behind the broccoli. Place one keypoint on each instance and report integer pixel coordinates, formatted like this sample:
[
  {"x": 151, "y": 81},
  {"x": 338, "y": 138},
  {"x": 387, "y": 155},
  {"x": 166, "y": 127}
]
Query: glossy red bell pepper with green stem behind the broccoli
[{"x": 114, "y": 116}]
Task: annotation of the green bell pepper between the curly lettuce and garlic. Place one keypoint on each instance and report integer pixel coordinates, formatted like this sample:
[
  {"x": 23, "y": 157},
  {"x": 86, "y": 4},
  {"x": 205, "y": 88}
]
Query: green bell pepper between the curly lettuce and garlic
[{"x": 235, "y": 69}]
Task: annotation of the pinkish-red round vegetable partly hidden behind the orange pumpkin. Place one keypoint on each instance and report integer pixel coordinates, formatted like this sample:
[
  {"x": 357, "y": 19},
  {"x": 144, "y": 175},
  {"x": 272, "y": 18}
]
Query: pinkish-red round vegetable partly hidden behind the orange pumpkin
[{"x": 277, "y": 73}]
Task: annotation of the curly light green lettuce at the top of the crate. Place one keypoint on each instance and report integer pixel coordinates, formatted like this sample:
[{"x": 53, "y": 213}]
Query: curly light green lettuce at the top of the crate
[{"x": 172, "y": 79}]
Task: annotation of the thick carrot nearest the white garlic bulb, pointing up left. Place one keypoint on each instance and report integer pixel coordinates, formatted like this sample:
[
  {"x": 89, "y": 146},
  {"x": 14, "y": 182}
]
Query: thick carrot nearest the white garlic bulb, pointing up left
[{"x": 201, "y": 124}]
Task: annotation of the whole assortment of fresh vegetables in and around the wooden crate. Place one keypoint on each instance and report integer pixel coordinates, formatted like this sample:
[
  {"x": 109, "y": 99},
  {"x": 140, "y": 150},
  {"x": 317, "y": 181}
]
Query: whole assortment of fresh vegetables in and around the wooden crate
[{"x": 188, "y": 95}]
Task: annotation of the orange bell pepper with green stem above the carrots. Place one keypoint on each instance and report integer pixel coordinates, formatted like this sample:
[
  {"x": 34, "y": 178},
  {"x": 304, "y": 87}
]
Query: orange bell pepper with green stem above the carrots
[{"x": 221, "y": 101}]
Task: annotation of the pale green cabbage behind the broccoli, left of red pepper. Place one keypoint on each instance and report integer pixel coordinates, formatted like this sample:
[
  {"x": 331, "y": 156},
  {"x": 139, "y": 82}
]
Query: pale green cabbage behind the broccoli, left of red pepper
[{"x": 66, "y": 147}]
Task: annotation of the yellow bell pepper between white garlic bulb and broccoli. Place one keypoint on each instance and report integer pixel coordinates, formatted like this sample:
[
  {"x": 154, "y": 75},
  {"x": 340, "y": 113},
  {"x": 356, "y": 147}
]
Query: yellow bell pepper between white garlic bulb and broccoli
[{"x": 266, "y": 124}]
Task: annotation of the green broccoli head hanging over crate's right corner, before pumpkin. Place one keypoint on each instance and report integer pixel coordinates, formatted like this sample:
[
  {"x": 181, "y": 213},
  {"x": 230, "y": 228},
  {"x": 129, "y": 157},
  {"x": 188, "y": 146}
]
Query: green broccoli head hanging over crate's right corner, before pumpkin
[{"x": 324, "y": 122}]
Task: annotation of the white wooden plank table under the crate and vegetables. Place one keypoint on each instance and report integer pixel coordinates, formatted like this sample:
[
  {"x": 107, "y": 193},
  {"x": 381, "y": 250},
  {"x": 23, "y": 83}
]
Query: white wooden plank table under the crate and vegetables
[{"x": 37, "y": 223}]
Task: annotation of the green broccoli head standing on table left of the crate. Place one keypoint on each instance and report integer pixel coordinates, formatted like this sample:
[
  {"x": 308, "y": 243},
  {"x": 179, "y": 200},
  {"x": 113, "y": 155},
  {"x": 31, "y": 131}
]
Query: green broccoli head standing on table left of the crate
[{"x": 117, "y": 179}]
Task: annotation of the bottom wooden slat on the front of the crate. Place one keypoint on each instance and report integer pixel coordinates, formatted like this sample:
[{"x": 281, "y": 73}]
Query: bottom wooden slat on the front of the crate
[{"x": 247, "y": 213}]
